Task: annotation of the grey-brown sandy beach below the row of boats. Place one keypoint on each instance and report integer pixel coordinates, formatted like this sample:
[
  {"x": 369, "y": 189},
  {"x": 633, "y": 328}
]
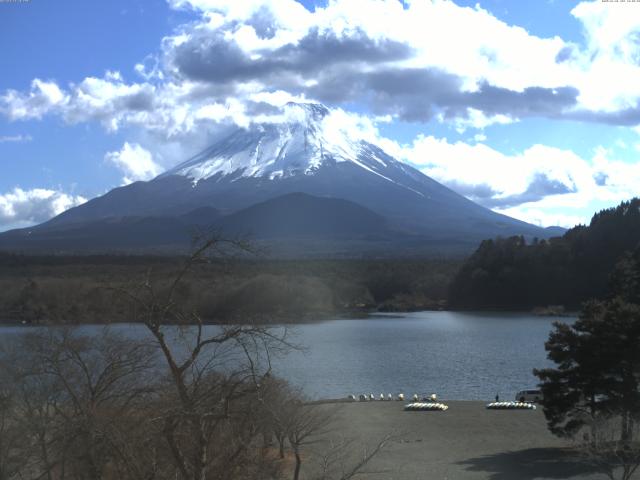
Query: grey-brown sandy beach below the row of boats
[{"x": 465, "y": 442}]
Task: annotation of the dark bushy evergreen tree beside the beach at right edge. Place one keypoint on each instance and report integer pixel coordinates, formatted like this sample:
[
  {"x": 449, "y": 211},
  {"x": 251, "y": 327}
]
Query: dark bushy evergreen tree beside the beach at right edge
[{"x": 598, "y": 369}]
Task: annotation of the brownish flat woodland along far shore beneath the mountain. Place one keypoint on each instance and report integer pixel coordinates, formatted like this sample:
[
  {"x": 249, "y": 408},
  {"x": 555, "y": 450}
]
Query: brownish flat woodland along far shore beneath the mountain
[{"x": 54, "y": 290}]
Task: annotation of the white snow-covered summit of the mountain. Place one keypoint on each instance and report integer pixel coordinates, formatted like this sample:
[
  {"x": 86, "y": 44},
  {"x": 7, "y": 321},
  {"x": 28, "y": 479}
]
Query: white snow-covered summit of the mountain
[{"x": 301, "y": 143}]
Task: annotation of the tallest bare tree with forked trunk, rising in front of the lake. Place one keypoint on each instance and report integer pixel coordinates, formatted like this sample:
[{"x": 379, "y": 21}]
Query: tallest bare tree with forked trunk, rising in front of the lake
[{"x": 213, "y": 372}]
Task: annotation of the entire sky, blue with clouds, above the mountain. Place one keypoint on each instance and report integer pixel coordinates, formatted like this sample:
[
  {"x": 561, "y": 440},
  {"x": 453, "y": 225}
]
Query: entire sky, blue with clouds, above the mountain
[{"x": 531, "y": 110}]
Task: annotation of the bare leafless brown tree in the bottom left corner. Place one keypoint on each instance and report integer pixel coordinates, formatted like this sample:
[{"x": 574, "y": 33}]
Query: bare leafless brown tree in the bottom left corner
[{"x": 76, "y": 399}]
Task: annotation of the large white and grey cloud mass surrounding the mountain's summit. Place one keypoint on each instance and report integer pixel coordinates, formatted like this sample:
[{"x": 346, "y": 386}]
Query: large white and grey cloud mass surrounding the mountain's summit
[{"x": 416, "y": 62}]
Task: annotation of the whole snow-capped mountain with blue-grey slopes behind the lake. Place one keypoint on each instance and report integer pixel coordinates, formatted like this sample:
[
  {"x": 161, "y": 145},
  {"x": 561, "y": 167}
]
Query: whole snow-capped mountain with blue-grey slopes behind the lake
[{"x": 301, "y": 185}]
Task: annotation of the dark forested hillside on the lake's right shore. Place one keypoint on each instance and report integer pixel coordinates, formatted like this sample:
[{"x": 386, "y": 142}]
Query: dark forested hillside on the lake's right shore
[{"x": 511, "y": 273}]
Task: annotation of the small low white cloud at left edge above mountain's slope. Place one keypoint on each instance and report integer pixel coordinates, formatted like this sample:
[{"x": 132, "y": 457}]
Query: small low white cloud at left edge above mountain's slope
[{"x": 27, "y": 207}]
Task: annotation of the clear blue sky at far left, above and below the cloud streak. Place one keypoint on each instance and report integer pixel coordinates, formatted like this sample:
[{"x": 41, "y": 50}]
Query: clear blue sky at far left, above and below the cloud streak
[{"x": 66, "y": 42}]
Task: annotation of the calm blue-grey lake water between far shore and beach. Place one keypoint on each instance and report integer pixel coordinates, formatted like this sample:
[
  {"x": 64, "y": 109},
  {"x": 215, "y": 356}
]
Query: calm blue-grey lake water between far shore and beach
[{"x": 459, "y": 356}]
